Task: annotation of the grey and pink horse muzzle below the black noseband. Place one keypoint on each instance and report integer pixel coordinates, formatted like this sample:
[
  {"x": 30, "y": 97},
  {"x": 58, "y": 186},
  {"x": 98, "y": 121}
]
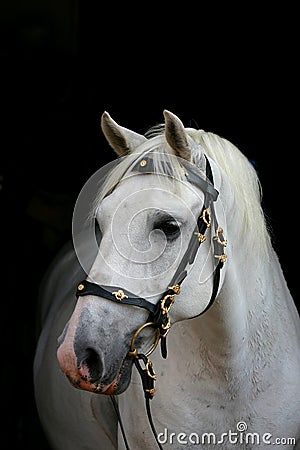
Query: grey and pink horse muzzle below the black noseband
[{"x": 92, "y": 354}]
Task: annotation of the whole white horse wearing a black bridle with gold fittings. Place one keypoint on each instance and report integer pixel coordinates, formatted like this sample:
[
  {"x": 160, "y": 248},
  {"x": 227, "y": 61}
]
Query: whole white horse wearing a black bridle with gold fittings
[{"x": 183, "y": 230}]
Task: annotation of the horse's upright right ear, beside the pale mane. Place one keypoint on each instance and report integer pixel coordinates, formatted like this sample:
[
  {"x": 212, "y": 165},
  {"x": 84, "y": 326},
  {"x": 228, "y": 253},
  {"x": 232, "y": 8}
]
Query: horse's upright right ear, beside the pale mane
[{"x": 176, "y": 136}]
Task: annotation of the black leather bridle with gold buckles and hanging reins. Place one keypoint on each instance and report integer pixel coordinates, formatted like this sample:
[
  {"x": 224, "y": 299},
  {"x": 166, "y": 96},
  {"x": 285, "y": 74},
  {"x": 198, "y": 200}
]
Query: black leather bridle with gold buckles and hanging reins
[{"x": 159, "y": 313}]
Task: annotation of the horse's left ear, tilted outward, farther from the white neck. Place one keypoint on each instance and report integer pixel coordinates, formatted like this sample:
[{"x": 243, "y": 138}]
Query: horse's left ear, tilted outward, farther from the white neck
[{"x": 122, "y": 140}]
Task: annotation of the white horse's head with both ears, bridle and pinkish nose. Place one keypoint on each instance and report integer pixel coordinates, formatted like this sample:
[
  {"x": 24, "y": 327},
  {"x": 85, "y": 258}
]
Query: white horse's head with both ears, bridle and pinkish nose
[{"x": 155, "y": 207}]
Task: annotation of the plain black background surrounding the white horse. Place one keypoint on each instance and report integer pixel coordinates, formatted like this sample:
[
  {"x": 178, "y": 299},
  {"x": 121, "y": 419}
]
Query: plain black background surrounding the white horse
[{"x": 229, "y": 71}]
